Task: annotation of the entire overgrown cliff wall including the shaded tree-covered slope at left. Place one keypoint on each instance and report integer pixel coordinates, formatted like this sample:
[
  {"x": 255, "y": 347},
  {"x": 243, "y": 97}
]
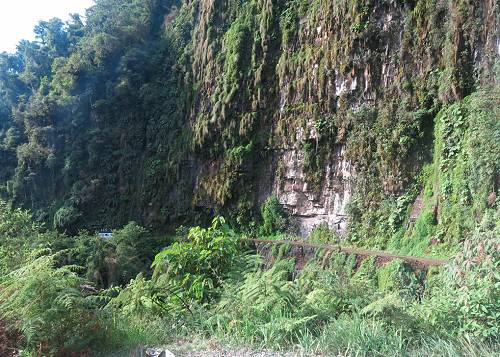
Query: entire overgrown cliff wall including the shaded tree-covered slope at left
[{"x": 210, "y": 106}]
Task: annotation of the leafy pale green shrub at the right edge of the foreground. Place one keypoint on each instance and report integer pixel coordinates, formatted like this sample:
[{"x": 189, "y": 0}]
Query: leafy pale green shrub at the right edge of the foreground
[{"x": 463, "y": 299}]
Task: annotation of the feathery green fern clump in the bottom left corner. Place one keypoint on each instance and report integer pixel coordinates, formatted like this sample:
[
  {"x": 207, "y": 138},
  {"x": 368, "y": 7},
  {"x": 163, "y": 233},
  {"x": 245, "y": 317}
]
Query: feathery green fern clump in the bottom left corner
[{"x": 50, "y": 307}]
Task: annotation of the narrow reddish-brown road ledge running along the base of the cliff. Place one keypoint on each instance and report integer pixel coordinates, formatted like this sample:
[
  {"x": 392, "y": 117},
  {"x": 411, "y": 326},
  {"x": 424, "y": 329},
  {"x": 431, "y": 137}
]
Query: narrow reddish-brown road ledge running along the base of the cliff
[{"x": 420, "y": 262}]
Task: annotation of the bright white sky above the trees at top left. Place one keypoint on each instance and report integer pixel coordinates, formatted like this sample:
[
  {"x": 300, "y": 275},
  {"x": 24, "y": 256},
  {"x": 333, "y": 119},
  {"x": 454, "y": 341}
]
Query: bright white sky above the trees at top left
[{"x": 19, "y": 17}]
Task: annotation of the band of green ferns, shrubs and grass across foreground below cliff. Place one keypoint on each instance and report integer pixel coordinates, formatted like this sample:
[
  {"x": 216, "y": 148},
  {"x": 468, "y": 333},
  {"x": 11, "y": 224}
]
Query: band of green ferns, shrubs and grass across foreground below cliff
[{"x": 71, "y": 294}]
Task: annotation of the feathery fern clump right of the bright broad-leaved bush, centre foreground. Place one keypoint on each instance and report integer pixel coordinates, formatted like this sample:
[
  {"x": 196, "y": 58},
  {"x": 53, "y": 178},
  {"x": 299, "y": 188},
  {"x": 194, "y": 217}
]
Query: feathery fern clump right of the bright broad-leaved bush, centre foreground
[{"x": 262, "y": 308}]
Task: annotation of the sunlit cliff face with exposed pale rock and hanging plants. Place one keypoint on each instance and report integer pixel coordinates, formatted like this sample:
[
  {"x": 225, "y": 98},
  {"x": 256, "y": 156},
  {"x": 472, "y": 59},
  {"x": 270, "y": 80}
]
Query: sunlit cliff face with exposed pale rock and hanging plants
[{"x": 334, "y": 92}]
